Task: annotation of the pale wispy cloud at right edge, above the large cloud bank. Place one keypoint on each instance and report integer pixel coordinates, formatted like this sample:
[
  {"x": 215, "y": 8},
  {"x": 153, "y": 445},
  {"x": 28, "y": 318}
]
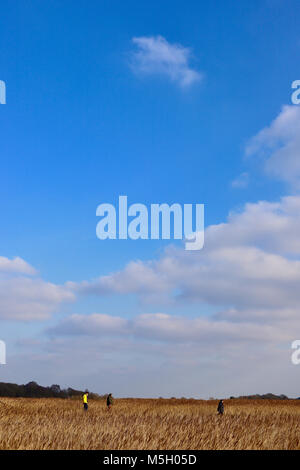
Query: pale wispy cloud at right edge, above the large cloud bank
[{"x": 279, "y": 146}]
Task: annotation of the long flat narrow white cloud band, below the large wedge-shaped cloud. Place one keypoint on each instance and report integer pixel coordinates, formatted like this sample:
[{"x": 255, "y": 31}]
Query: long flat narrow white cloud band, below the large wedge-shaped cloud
[{"x": 221, "y": 329}]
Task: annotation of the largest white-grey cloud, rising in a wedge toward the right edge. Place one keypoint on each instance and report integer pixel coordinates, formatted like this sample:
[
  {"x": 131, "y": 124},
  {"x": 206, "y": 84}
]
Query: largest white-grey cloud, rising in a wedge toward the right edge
[{"x": 248, "y": 262}]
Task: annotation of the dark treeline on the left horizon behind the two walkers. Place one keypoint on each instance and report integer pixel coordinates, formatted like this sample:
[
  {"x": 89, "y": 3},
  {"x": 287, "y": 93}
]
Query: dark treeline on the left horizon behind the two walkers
[{"x": 34, "y": 390}]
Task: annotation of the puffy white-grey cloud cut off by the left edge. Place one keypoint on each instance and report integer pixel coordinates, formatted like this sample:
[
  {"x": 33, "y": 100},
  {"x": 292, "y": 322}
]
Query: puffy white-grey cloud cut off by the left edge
[{"x": 24, "y": 296}]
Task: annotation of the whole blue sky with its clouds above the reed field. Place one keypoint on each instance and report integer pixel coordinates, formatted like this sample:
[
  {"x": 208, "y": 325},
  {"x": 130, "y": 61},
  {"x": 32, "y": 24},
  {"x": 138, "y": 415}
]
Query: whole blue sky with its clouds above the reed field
[{"x": 91, "y": 115}]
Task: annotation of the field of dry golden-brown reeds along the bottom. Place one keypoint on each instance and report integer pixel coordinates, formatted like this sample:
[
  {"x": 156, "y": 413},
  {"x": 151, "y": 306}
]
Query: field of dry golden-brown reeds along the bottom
[{"x": 149, "y": 424}]
